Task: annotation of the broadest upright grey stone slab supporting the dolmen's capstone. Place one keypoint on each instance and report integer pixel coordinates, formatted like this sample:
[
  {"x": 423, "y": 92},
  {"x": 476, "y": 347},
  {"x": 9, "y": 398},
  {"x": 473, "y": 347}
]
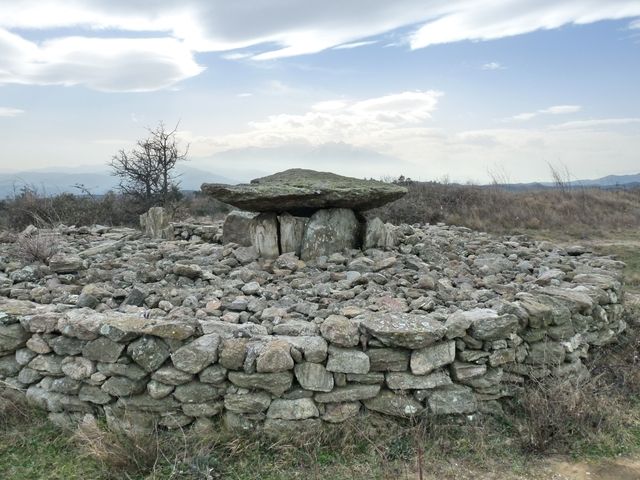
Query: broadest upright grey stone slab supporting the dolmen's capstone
[{"x": 330, "y": 231}]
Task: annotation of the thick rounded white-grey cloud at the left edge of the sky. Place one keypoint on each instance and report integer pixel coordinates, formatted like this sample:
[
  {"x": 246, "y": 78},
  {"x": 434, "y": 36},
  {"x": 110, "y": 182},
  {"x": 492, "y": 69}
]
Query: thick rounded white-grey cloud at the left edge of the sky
[{"x": 106, "y": 64}]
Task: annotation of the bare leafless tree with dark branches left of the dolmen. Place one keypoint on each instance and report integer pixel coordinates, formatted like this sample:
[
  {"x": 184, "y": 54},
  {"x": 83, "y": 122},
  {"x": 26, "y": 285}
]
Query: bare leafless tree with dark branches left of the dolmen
[{"x": 146, "y": 173}]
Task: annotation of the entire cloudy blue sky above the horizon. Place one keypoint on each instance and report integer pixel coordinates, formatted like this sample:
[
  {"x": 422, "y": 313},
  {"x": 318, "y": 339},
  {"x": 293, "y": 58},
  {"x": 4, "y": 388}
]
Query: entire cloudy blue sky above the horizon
[{"x": 463, "y": 90}]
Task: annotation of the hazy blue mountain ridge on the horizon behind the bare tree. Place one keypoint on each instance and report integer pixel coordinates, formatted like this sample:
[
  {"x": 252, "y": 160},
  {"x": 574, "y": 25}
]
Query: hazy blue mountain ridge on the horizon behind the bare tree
[{"x": 97, "y": 182}]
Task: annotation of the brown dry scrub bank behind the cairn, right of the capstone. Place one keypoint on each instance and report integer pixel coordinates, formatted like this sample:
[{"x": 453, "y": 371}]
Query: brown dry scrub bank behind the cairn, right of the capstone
[{"x": 586, "y": 211}]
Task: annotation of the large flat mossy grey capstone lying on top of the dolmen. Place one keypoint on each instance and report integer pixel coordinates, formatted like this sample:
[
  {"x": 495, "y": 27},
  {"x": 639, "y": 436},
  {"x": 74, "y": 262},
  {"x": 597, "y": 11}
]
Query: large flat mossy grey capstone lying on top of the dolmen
[{"x": 304, "y": 191}]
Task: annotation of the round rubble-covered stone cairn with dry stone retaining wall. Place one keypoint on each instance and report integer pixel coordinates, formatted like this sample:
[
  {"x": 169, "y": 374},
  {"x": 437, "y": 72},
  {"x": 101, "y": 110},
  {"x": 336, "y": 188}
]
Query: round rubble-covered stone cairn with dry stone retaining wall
[{"x": 174, "y": 333}]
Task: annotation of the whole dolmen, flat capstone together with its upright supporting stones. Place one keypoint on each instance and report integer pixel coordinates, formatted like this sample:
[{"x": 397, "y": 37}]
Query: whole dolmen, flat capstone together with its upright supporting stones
[{"x": 306, "y": 212}]
